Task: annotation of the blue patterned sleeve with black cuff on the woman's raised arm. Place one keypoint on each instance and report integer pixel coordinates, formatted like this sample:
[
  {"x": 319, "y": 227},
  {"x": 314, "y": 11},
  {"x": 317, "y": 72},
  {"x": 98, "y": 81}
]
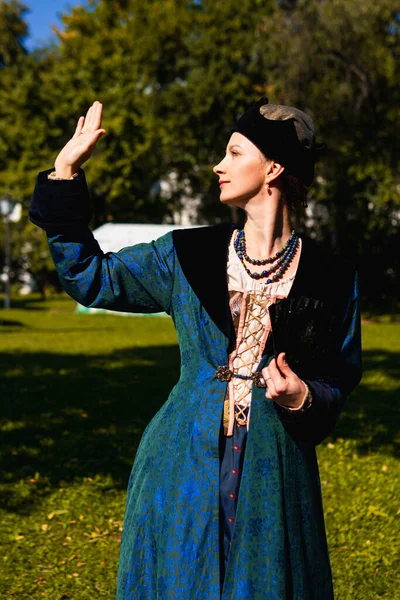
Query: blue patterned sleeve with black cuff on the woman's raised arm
[{"x": 138, "y": 278}]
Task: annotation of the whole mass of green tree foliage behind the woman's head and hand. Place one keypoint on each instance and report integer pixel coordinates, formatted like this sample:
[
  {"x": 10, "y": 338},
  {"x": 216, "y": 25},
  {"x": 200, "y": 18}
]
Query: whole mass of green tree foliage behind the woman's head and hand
[{"x": 173, "y": 75}]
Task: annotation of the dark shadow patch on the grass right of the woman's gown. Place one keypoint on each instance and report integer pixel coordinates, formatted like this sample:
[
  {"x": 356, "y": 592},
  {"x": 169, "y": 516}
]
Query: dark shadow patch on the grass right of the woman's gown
[{"x": 371, "y": 414}]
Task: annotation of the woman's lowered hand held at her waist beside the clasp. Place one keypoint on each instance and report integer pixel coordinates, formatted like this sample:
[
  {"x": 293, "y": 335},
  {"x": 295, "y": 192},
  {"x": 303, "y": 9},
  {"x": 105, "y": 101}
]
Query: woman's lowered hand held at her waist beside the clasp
[{"x": 283, "y": 385}]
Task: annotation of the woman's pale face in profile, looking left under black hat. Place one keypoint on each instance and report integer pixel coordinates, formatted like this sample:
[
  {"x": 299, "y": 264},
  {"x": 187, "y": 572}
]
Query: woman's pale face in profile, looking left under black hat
[{"x": 241, "y": 172}]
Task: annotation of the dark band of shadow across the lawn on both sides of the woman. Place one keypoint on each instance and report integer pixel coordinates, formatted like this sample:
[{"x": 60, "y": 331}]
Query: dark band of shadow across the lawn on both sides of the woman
[{"x": 67, "y": 416}]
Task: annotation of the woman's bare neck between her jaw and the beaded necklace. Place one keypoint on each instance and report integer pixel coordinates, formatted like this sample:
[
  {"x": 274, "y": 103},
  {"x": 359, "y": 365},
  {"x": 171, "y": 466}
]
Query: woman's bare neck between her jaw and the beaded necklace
[{"x": 267, "y": 227}]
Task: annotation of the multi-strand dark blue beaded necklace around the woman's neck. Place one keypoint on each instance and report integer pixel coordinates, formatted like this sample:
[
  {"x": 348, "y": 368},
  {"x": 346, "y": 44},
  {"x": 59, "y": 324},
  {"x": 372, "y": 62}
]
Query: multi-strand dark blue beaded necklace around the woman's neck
[{"x": 282, "y": 259}]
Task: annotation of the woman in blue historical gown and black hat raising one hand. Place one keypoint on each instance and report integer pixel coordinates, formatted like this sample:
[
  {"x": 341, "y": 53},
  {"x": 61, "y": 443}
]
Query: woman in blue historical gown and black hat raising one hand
[{"x": 218, "y": 505}]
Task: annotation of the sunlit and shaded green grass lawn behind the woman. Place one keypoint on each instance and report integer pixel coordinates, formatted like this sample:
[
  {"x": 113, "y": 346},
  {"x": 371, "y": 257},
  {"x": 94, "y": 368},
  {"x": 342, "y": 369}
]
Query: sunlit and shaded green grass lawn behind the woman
[{"x": 76, "y": 394}]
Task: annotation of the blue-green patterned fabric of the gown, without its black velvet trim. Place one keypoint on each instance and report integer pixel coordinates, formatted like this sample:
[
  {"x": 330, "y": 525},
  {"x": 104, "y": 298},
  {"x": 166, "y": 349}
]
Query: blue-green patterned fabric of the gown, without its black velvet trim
[{"x": 170, "y": 546}]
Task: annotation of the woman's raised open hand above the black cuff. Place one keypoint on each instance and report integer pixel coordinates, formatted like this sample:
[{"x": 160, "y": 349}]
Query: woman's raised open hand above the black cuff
[{"x": 80, "y": 147}]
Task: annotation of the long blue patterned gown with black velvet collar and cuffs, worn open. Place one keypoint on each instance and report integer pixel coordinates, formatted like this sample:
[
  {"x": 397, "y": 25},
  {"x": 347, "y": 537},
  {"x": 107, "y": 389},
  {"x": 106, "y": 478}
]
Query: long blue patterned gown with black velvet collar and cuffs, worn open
[{"x": 170, "y": 548}]
